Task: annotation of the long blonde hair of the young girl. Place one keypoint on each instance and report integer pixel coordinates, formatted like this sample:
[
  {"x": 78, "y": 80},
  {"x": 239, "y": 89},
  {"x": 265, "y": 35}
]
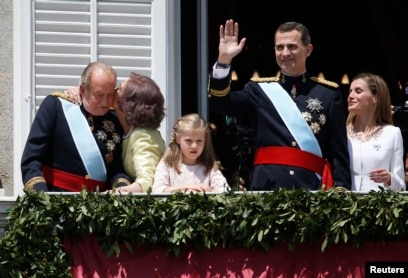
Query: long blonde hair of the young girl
[{"x": 173, "y": 156}]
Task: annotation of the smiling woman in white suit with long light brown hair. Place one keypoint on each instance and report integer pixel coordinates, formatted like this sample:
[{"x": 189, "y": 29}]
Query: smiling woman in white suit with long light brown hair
[{"x": 375, "y": 145}]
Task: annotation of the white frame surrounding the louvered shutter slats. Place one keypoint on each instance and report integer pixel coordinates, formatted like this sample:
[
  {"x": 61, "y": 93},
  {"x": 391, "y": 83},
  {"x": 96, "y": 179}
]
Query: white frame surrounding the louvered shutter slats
[{"x": 165, "y": 70}]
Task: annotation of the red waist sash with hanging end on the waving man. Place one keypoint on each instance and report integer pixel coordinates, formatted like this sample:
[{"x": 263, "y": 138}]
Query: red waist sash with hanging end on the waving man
[{"x": 296, "y": 157}]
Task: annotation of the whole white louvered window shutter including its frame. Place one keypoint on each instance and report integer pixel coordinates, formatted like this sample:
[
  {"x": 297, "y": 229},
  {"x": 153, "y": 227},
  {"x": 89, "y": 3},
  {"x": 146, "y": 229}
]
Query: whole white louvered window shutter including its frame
[{"x": 55, "y": 39}]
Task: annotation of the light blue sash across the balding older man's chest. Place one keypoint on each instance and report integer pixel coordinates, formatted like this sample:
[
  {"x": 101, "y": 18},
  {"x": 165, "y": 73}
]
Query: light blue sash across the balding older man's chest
[{"x": 84, "y": 141}]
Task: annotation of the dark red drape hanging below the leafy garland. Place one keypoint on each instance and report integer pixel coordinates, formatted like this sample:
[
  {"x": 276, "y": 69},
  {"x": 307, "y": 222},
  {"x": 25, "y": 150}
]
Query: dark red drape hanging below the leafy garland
[{"x": 339, "y": 260}]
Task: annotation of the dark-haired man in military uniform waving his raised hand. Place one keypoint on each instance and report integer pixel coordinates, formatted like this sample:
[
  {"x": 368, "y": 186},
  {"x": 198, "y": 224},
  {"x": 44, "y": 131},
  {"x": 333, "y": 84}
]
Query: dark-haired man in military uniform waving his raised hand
[{"x": 298, "y": 121}]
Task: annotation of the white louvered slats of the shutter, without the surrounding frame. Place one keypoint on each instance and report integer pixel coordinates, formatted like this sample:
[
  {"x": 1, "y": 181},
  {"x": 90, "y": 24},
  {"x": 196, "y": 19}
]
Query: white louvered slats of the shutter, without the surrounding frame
[{"x": 71, "y": 33}]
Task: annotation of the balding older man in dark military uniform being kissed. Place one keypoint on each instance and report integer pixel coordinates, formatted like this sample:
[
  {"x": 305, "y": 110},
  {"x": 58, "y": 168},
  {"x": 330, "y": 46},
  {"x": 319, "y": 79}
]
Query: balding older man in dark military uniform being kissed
[{"x": 71, "y": 147}]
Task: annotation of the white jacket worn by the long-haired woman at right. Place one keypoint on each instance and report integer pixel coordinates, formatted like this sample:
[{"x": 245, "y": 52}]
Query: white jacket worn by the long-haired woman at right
[{"x": 383, "y": 149}]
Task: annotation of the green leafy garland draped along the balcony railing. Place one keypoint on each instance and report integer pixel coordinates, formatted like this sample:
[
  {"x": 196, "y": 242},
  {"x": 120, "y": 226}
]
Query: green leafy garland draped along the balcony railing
[{"x": 37, "y": 223}]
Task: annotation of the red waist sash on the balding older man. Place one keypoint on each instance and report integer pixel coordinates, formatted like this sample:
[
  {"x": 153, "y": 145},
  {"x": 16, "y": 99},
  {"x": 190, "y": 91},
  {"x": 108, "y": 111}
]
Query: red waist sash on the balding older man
[{"x": 70, "y": 181}]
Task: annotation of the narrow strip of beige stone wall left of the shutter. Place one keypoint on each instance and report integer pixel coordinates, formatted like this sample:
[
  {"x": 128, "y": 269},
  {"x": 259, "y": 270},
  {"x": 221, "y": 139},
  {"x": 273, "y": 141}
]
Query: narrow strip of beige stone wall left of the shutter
[{"x": 6, "y": 96}]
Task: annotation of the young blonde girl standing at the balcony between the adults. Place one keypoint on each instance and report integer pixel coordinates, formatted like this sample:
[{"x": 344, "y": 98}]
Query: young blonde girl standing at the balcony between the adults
[{"x": 189, "y": 163}]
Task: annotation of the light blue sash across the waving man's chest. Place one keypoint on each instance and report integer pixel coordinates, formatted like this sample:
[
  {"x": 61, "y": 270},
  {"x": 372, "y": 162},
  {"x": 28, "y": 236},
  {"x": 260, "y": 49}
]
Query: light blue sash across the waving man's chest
[{"x": 292, "y": 117}]
